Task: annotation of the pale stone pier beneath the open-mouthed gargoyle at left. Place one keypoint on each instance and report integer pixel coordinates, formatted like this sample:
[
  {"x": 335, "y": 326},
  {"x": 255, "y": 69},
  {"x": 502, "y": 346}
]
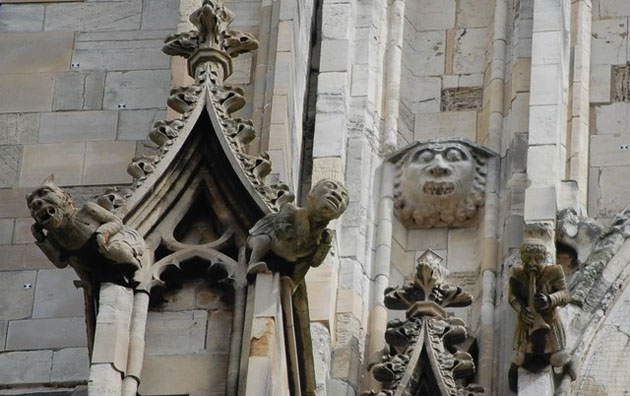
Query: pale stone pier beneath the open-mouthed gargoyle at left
[{"x": 111, "y": 340}]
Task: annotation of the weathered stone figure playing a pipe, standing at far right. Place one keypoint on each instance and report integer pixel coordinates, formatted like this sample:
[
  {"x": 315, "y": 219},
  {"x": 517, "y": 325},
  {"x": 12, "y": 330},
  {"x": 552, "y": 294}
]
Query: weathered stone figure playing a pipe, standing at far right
[{"x": 536, "y": 290}]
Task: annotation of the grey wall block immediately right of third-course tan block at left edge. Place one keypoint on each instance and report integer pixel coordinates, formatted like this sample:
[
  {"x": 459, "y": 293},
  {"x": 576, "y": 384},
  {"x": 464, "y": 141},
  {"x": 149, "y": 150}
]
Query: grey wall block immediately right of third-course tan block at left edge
[{"x": 79, "y": 90}]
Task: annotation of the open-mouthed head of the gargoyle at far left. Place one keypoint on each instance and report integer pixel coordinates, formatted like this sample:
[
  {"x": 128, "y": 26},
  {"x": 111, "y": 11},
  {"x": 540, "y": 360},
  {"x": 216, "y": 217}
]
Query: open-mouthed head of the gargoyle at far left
[{"x": 50, "y": 206}]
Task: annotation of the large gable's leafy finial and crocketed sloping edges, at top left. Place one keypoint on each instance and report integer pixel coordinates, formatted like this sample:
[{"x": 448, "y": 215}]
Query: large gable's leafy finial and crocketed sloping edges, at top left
[{"x": 209, "y": 49}]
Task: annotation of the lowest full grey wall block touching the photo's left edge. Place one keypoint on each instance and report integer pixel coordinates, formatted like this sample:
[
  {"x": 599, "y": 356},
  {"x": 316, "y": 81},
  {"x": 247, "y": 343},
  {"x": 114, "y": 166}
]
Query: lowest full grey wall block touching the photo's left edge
[{"x": 30, "y": 367}]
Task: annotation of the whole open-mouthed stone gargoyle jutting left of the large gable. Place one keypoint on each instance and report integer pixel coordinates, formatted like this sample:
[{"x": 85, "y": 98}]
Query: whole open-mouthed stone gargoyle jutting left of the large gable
[{"x": 91, "y": 239}]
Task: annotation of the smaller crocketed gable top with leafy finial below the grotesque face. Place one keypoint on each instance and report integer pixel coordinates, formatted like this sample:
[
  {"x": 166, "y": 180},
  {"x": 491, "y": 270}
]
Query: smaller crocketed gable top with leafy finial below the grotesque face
[{"x": 428, "y": 336}]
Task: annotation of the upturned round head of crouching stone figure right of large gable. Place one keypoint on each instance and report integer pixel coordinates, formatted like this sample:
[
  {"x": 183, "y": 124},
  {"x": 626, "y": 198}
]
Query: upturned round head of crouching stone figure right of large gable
[{"x": 328, "y": 199}]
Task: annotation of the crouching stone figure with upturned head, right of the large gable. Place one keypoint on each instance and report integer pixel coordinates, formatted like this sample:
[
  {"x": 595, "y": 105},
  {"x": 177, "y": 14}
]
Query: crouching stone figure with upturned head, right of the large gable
[{"x": 299, "y": 235}]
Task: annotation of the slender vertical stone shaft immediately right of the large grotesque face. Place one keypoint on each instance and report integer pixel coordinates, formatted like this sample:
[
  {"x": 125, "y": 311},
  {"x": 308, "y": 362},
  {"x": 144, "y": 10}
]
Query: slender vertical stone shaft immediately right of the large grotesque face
[{"x": 490, "y": 264}]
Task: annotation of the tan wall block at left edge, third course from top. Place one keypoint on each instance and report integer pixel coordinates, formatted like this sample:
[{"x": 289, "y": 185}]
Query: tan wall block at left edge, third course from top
[{"x": 29, "y": 92}]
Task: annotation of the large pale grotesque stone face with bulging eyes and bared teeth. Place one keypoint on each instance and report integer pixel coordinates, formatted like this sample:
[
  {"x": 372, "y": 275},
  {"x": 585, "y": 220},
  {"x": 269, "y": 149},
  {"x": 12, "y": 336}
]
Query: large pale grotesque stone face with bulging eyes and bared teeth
[{"x": 440, "y": 183}]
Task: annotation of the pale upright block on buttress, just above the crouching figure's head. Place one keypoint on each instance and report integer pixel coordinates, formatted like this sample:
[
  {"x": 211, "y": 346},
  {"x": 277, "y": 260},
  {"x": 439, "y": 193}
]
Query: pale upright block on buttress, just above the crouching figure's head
[{"x": 329, "y": 135}]
